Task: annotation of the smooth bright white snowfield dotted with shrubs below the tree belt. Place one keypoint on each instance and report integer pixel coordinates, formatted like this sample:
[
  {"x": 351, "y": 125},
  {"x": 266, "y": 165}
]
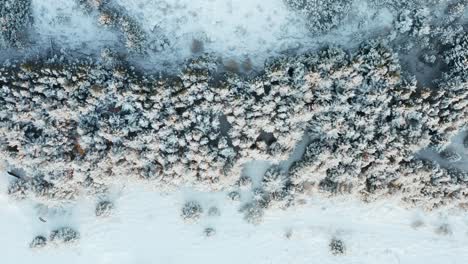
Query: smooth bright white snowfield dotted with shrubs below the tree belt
[{"x": 146, "y": 227}]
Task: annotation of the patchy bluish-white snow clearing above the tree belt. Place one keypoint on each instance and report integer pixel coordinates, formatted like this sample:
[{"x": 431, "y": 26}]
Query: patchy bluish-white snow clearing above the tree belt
[{"x": 234, "y": 29}]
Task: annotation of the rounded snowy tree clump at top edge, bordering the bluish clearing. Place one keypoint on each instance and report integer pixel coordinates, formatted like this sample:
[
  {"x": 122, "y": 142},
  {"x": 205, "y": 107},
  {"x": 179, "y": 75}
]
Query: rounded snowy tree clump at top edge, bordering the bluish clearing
[{"x": 322, "y": 15}]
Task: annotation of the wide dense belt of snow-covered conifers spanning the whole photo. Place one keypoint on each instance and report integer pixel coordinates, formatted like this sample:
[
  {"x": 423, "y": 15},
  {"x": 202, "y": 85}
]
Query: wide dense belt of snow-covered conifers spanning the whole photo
[{"x": 68, "y": 127}]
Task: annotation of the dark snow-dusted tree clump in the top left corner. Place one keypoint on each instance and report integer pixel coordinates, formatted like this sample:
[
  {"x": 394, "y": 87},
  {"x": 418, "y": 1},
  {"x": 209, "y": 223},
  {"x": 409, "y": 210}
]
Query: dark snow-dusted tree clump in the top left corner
[{"x": 15, "y": 19}]
